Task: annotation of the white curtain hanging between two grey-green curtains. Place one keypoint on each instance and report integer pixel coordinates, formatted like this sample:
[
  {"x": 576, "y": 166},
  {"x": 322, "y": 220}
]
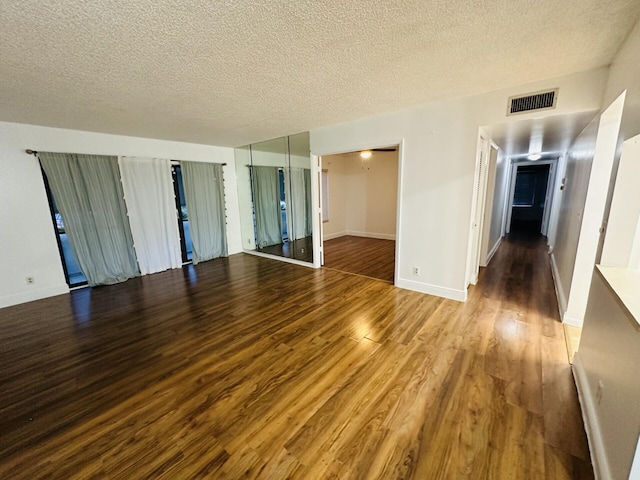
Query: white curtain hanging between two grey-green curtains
[{"x": 150, "y": 200}]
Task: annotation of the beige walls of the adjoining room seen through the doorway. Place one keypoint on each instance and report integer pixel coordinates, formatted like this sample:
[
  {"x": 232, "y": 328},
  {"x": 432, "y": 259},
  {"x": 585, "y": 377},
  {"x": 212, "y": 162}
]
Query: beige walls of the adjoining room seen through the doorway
[{"x": 363, "y": 195}]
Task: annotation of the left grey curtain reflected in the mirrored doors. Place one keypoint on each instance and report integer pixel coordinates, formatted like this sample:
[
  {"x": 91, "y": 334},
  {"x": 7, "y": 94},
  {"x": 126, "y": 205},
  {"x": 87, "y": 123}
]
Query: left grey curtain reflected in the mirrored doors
[{"x": 266, "y": 199}]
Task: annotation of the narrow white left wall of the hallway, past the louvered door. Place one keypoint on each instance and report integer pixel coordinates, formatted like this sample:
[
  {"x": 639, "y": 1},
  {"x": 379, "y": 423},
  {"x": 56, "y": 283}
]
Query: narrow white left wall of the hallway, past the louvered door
[{"x": 495, "y": 207}]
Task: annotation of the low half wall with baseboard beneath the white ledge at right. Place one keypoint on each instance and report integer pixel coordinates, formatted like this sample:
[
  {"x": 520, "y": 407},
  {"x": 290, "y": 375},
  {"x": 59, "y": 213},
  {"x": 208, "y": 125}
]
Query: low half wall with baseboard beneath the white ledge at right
[{"x": 609, "y": 354}]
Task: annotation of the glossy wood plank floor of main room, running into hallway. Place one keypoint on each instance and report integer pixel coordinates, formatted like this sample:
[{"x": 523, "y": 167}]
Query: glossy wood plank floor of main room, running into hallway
[{"x": 252, "y": 368}]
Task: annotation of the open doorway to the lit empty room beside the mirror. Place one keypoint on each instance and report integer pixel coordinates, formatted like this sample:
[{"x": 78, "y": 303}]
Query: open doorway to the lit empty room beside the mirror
[{"x": 359, "y": 192}]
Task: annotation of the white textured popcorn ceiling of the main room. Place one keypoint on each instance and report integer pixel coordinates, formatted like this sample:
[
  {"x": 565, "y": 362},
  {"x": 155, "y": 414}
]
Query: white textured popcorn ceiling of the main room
[{"x": 234, "y": 72}]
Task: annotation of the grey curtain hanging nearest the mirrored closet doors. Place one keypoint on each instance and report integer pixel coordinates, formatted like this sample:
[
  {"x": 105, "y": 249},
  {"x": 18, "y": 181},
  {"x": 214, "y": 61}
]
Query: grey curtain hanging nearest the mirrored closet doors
[{"x": 204, "y": 194}]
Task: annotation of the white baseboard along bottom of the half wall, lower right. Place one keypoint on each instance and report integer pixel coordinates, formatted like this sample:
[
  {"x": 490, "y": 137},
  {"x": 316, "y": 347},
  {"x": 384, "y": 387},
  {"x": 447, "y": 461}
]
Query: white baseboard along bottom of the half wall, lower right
[{"x": 592, "y": 427}]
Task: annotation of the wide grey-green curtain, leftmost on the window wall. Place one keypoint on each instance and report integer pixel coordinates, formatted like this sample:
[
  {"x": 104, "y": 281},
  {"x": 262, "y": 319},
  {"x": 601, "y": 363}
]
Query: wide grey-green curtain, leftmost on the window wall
[{"x": 89, "y": 196}]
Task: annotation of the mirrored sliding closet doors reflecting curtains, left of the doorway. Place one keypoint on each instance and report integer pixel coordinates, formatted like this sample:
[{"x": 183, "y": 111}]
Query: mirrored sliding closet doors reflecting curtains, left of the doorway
[{"x": 274, "y": 190}]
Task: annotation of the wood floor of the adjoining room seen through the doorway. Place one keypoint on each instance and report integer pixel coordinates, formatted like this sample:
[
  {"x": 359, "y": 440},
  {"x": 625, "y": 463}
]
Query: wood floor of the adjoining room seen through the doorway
[{"x": 370, "y": 257}]
